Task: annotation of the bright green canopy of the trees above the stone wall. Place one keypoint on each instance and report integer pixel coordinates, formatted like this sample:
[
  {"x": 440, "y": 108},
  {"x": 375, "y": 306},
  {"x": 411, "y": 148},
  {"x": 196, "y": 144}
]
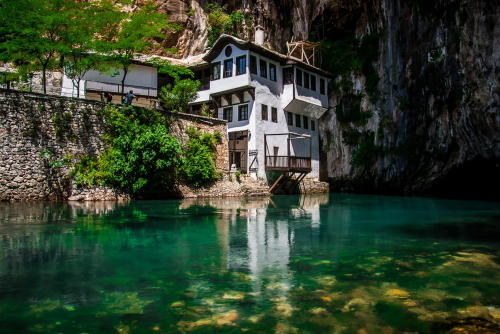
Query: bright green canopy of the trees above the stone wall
[{"x": 44, "y": 35}]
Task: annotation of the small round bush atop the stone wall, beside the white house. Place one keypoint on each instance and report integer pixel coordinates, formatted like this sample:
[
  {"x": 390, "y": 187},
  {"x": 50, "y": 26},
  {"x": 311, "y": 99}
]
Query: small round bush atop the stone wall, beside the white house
[{"x": 176, "y": 98}]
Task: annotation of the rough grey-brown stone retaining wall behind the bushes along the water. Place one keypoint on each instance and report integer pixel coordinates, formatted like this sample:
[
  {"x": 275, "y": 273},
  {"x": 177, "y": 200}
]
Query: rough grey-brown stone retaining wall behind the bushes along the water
[{"x": 41, "y": 135}]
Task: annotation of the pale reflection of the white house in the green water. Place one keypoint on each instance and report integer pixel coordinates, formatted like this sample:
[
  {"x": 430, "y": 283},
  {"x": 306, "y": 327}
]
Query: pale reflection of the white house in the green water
[{"x": 257, "y": 235}]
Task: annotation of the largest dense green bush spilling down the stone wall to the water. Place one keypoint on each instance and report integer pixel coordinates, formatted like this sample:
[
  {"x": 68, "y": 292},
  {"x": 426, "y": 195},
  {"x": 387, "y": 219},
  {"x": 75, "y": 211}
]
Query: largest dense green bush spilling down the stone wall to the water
[{"x": 143, "y": 157}]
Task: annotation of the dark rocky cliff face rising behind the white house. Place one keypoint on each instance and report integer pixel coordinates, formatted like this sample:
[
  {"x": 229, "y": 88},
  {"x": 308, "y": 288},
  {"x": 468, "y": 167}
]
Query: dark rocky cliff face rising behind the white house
[{"x": 420, "y": 78}]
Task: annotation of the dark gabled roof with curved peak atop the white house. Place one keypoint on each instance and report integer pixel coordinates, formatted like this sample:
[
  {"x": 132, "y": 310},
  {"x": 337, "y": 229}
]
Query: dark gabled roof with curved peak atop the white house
[{"x": 224, "y": 40}]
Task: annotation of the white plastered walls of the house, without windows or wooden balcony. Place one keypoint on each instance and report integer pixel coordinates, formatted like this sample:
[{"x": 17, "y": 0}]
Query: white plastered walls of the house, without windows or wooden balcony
[{"x": 260, "y": 90}]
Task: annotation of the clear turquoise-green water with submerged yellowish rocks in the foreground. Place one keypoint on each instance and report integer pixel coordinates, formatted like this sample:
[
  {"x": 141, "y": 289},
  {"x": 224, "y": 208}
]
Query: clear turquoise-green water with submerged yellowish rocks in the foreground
[{"x": 319, "y": 264}]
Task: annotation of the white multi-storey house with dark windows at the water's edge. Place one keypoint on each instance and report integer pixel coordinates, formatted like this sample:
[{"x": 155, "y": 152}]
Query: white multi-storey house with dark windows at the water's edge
[{"x": 272, "y": 103}]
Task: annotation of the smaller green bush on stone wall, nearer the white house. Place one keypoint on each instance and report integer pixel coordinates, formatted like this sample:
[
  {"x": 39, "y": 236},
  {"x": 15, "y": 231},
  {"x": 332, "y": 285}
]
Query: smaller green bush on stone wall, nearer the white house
[{"x": 198, "y": 167}]
